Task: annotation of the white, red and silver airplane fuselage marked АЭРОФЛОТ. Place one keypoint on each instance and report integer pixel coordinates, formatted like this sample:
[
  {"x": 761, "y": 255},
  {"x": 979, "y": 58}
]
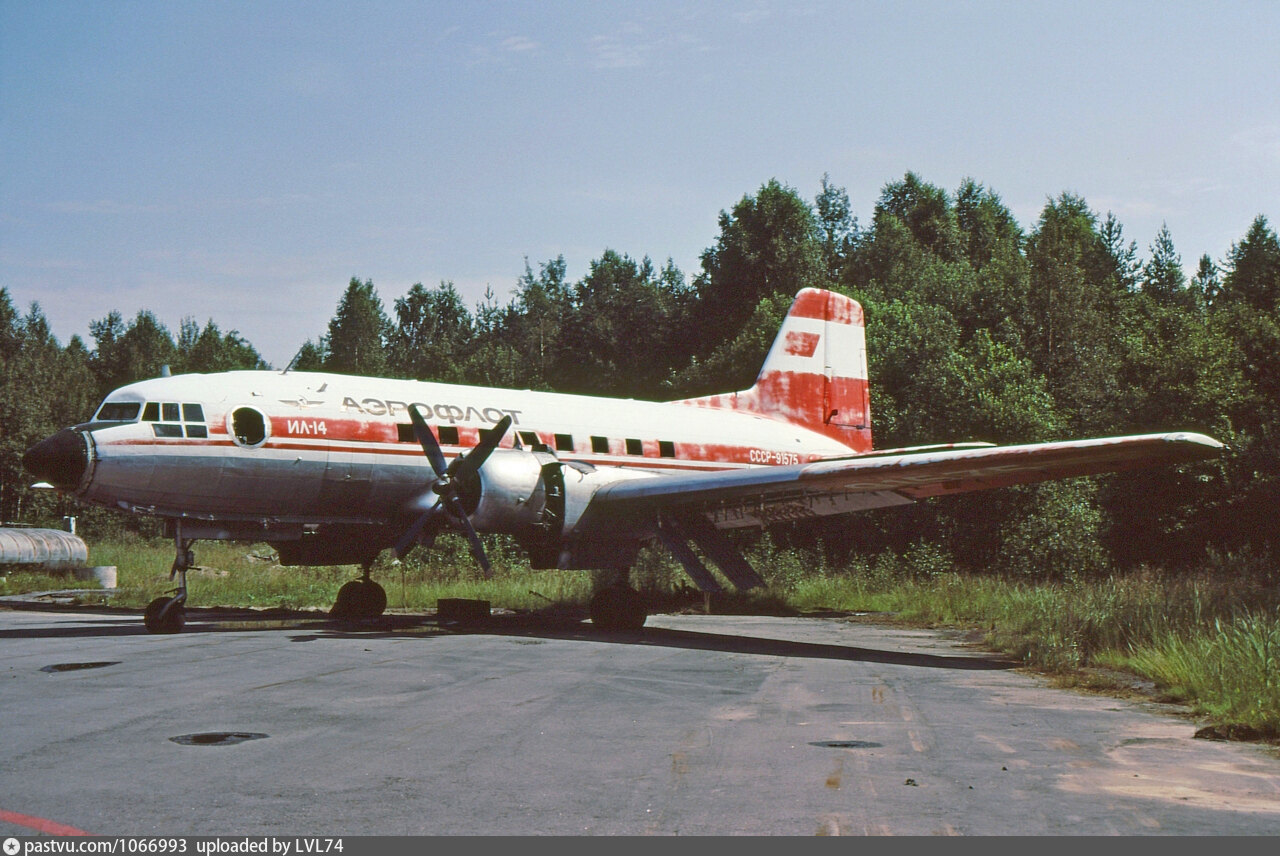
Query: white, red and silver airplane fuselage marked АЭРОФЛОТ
[{"x": 287, "y": 448}]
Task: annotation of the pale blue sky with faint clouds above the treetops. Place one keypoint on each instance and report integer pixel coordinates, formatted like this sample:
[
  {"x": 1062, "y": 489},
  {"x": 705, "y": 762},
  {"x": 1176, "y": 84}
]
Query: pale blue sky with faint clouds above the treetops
[{"x": 241, "y": 162}]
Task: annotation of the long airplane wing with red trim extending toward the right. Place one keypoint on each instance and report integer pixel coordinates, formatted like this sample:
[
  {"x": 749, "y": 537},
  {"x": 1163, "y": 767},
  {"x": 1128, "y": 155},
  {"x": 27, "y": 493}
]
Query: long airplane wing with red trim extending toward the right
[{"x": 767, "y": 496}]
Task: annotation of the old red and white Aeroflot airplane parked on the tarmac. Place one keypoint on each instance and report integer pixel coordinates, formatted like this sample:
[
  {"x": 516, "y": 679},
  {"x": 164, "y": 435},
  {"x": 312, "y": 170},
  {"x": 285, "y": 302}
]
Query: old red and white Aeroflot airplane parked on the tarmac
[{"x": 335, "y": 469}]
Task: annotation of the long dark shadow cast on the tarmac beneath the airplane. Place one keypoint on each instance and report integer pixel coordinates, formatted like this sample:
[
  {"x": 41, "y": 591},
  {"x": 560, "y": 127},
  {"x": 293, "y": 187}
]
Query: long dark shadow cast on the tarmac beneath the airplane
[{"x": 313, "y": 626}]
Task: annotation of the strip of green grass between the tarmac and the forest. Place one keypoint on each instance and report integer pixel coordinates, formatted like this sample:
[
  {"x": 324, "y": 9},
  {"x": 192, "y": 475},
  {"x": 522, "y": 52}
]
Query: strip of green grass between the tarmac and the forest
[{"x": 1210, "y": 639}]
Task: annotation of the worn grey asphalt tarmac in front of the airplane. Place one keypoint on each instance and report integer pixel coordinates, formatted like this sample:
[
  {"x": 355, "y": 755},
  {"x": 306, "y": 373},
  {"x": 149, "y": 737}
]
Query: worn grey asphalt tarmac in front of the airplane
[{"x": 701, "y": 725}]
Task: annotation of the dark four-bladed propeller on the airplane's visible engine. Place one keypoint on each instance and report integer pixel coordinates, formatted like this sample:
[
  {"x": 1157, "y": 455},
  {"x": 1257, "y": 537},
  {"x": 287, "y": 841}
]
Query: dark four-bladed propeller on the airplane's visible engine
[{"x": 449, "y": 507}]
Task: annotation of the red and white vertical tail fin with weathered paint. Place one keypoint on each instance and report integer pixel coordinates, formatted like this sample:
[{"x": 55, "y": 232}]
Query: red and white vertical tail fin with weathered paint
[{"x": 816, "y": 373}]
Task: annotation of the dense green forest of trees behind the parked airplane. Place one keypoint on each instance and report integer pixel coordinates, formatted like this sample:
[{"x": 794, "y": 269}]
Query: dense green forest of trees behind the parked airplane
[{"x": 977, "y": 331}]
